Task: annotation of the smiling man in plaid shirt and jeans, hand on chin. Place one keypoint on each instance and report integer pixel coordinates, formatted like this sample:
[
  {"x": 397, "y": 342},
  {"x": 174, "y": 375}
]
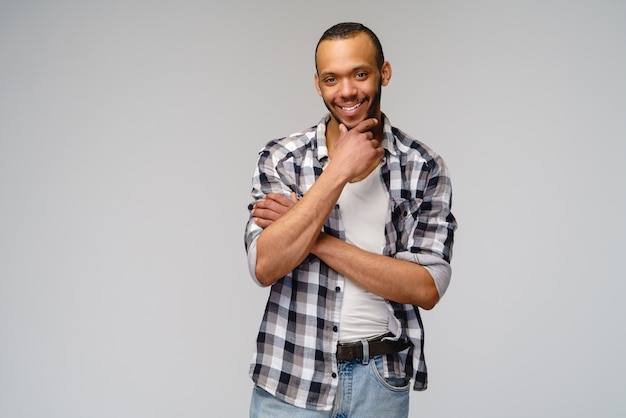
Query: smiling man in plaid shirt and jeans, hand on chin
[{"x": 351, "y": 227}]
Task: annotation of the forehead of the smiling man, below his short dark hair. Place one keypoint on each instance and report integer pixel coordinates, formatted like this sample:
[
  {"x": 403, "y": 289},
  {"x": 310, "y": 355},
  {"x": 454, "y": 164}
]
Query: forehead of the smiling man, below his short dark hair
[{"x": 334, "y": 54}]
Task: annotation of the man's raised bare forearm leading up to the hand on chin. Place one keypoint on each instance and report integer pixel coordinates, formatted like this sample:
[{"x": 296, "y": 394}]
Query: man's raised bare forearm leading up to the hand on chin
[{"x": 286, "y": 242}]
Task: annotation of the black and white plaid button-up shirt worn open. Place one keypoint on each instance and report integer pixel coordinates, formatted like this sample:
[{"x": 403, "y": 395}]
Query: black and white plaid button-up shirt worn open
[{"x": 295, "y": 351}]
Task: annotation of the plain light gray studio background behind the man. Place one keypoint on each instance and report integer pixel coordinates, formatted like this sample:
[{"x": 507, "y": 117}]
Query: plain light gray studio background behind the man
[{"x": 128, "y": 135}]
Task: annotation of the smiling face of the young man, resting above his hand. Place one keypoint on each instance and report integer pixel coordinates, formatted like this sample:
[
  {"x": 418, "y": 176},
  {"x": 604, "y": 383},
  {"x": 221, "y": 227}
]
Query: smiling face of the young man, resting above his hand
[{"x": 348, "y": 79}]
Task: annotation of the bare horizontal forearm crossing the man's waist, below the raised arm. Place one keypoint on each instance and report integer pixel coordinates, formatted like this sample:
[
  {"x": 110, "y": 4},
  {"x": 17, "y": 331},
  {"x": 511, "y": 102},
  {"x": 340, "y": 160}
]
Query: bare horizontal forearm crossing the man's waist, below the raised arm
[{"x": 397, "y": 280}]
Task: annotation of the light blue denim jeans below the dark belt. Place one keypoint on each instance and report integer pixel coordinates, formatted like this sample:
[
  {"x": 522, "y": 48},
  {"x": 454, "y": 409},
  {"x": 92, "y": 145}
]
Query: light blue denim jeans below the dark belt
[{"x": 363, "y": 392}]
